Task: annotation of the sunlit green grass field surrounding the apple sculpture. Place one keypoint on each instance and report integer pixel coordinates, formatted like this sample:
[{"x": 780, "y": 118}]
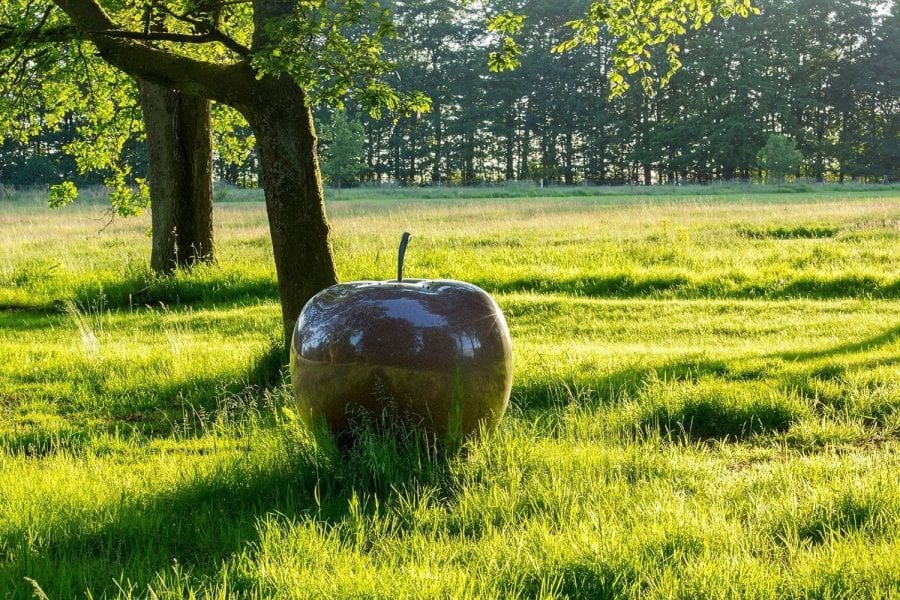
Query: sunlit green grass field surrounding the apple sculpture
[{"x": 706, "y": 403}]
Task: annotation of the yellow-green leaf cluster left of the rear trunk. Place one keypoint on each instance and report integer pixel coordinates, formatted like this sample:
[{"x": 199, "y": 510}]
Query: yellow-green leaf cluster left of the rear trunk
[{"x": 47, "y": 84}]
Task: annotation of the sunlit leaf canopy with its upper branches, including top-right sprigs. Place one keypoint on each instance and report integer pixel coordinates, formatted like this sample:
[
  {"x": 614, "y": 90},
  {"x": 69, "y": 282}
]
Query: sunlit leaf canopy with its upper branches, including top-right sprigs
[{"x": 333, "y": 51}]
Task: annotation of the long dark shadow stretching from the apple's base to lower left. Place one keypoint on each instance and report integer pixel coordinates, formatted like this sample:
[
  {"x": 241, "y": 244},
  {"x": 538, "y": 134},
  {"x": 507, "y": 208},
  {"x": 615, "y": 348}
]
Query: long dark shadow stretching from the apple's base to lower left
[{"x": 211, "y": 516}]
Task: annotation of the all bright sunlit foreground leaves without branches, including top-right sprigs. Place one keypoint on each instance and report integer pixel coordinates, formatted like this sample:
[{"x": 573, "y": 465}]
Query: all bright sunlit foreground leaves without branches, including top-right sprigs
[{"x": 333, "y": 50}]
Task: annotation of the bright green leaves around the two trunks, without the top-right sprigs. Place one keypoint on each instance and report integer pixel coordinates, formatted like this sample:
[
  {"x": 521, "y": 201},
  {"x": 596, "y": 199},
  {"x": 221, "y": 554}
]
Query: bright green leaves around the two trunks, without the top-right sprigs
[{"x": 332, "y": 50}]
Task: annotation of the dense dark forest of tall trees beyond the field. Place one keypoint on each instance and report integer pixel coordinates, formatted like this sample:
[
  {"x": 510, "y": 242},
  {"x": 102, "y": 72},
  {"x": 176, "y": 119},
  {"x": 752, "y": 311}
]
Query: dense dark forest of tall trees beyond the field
[{"x": 823, "y": 74}]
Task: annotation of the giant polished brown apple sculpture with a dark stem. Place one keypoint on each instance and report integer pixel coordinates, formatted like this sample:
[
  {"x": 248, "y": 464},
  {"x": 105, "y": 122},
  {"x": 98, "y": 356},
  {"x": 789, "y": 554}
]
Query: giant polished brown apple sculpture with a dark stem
[{"x": 435, "y": 353}]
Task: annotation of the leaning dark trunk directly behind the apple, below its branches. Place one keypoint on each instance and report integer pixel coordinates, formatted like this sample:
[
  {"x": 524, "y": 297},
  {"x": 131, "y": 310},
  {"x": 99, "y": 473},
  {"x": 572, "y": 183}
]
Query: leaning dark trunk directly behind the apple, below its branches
[{"x": 286, "y": 140}]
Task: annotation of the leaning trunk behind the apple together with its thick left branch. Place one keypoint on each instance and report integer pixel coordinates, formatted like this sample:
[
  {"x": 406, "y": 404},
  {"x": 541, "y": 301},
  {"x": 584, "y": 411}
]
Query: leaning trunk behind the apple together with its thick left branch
[{"x": 281, "y": 120}]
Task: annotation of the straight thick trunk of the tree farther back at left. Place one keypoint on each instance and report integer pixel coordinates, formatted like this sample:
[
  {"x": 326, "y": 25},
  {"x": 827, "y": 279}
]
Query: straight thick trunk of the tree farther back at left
[{"x": 179, "y": 141}]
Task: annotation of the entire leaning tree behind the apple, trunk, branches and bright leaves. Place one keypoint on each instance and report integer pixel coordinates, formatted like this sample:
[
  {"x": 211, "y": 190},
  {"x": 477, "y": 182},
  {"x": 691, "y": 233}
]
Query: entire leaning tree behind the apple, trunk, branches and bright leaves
[{"x": 271, "y": 61}]
